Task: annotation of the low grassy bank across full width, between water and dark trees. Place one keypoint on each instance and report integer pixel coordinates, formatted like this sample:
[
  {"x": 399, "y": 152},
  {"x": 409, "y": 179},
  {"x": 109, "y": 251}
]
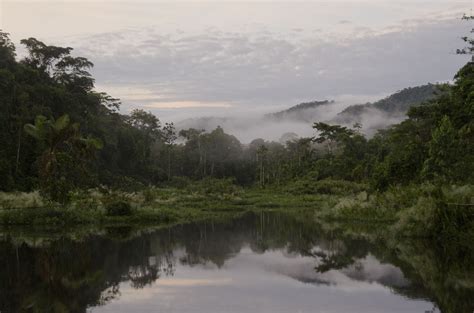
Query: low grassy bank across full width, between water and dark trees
[{"x": 416, "y": 211}]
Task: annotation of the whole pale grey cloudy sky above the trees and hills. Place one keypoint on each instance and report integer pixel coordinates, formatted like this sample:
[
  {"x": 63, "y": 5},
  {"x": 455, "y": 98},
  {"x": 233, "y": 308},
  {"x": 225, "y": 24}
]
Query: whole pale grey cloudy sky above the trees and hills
[{"x": 184, "y": 59}]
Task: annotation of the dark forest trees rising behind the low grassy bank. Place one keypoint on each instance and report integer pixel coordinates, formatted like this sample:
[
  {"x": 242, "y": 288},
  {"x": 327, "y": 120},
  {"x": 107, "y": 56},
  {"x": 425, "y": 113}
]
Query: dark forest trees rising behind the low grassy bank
[{"x": 59, "y": 133}]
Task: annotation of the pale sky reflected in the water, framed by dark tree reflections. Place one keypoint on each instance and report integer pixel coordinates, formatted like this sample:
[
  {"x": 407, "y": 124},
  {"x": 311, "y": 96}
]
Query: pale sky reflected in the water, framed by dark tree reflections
[{"x": 273, "y": 281}]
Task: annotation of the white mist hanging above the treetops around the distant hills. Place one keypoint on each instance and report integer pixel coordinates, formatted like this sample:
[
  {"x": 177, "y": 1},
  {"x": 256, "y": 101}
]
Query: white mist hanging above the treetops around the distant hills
[{"x": 256, "y": 123}]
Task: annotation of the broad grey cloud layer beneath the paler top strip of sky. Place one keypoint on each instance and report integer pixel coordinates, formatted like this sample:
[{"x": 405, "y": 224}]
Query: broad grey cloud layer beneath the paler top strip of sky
[{"x": 260, "y": 68}]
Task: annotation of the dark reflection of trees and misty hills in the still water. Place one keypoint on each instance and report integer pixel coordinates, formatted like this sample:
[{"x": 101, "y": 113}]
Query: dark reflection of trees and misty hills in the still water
[{"x": 68, "y": 275}]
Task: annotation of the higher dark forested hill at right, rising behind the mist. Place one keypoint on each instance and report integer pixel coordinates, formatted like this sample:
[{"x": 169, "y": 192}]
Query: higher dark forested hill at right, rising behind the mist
[{"x": 396, "y": 104}]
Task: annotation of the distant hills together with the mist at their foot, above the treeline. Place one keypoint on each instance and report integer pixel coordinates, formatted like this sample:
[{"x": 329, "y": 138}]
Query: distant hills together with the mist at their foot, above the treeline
[{"x": 298, "y": 119}]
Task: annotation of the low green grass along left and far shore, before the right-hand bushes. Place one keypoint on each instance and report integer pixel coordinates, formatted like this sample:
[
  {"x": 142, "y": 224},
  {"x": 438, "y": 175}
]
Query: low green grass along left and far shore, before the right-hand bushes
[{"x": 150, "y": 206}]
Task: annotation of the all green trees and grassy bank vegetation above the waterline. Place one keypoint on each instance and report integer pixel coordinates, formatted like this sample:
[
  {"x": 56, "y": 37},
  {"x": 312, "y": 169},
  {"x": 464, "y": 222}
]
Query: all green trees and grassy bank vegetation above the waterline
[{"x": 94, "y": 165}]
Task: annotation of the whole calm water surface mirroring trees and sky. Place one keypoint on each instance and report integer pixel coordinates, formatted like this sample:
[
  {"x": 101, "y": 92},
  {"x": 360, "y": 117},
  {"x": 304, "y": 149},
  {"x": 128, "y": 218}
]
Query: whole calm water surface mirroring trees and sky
[{"x": 257, "y": 263}]
